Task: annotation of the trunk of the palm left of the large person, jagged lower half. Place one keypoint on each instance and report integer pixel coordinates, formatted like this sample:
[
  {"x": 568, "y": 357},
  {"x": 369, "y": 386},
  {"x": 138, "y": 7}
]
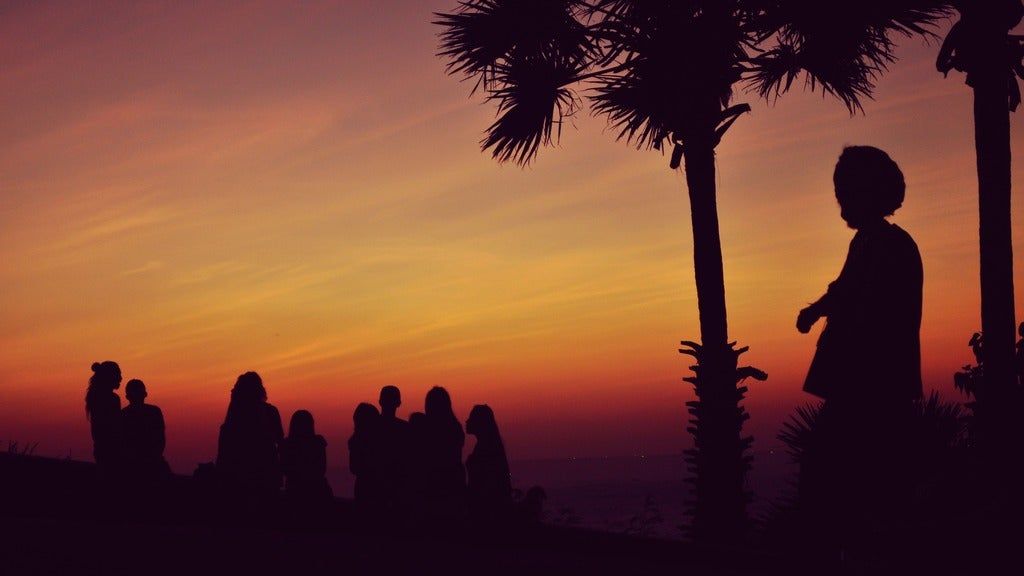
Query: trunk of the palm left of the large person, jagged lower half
[{"x": 718, "y": 463}]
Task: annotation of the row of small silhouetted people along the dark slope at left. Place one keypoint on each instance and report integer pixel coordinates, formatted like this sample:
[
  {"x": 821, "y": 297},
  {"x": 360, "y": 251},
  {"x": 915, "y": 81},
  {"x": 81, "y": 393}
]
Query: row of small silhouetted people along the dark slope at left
[{"x": 400, "y": 466}]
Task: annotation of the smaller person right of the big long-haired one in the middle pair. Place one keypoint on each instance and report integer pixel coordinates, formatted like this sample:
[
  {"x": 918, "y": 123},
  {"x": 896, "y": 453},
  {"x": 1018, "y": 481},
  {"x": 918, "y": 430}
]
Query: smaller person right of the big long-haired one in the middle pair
[{"x": 304, "y": 461}]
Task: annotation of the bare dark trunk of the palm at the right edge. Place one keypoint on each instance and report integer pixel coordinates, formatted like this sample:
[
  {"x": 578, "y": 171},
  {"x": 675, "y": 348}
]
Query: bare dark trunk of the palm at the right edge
[{"x": 992, "y": 120}]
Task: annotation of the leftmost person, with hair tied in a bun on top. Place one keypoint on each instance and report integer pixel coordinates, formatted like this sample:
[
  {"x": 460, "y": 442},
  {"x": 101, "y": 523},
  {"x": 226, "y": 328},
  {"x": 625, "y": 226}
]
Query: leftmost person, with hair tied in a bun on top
[{"x": 103, "y": 407}]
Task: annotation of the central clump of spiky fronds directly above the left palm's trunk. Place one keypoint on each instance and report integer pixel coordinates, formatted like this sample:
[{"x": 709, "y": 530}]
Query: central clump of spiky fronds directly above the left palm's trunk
[{"x": 676, "y": 65}]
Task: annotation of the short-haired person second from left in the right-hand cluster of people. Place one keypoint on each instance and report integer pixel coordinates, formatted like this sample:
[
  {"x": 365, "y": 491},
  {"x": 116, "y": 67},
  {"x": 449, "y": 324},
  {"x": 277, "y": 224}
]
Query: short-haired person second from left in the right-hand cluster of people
[{"x": 395, "y": 447}]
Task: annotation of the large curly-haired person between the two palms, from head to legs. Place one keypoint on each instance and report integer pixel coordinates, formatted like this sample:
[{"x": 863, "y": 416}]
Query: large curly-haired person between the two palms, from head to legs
[{"x": 868, "y": 363}]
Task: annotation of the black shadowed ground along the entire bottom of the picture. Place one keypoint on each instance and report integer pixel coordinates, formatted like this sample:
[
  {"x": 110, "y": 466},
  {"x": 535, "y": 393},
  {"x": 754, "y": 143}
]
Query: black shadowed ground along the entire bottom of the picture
[{"x": 56, "y": 520}]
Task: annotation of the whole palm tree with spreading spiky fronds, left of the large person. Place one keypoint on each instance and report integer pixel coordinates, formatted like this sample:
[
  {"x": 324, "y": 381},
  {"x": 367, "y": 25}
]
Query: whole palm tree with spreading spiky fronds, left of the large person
[{"x": 664, "y": 74}]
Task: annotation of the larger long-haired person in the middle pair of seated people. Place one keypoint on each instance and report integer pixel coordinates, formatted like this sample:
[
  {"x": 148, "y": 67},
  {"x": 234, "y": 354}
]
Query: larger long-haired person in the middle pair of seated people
[{"x": 247, "y": 448}]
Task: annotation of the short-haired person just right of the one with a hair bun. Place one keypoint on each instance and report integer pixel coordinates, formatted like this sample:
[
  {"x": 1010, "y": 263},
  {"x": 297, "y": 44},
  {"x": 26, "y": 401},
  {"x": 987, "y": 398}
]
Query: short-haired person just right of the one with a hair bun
[{"x": 144, "y": 430}]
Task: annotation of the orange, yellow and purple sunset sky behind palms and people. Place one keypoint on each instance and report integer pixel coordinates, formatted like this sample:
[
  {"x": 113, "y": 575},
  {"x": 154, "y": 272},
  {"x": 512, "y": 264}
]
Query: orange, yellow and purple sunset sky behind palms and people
[{"x": 298, "y": 190}]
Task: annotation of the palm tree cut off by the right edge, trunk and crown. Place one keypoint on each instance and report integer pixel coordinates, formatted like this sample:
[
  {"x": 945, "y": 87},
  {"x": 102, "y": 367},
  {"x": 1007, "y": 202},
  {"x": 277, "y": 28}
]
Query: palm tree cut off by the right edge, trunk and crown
[{"x": 982, "y": 46}]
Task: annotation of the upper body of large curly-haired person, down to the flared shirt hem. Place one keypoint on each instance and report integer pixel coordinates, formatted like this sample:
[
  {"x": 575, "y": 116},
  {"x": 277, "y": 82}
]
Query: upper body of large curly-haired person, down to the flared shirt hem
[{"x": 870, "y": 351}]
